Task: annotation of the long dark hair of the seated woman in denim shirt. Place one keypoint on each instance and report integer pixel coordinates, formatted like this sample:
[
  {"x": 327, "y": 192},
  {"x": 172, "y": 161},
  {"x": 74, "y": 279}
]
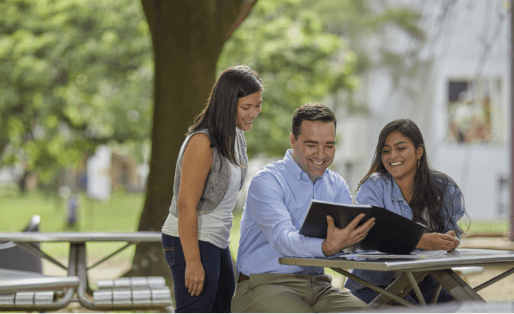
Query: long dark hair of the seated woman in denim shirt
[{"x": 428, "y": 203}]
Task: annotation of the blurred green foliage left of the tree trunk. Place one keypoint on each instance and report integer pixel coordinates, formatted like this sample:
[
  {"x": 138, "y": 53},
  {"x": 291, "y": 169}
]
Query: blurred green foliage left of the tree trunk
[{"x": 74, "y": 74}]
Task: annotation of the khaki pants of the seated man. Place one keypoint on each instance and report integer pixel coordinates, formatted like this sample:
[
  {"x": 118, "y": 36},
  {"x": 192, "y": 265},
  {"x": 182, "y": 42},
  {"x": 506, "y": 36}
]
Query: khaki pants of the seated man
[{"x": 293, "y": 293}]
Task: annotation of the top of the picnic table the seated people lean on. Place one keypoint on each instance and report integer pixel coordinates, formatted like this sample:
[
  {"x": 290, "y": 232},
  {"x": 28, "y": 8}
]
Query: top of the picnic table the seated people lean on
[{"x": 460, "y": 257}]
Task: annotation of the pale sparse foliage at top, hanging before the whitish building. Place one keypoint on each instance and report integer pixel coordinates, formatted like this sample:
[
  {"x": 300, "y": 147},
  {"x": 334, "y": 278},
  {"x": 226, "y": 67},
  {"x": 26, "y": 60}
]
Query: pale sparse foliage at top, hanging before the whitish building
[{"x": 367, "y": 25}]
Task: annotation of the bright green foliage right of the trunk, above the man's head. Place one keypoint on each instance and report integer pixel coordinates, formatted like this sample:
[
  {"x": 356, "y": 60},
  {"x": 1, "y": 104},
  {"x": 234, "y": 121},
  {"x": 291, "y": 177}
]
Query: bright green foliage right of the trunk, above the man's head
[{"x": 298, "y": 61}]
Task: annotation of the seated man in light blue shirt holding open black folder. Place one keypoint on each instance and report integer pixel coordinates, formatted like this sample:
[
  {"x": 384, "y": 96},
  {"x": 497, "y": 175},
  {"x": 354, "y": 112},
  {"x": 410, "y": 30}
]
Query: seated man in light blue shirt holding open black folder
[{"x": 276, "y": 205}]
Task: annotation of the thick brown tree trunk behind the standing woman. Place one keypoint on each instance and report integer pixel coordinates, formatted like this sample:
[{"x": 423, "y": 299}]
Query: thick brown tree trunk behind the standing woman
[{"x": 187, "y": 38}]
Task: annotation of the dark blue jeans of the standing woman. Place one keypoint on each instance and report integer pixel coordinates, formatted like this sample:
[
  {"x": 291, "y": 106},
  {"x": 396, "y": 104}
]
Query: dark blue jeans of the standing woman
[{"x": 219, "y": 285}]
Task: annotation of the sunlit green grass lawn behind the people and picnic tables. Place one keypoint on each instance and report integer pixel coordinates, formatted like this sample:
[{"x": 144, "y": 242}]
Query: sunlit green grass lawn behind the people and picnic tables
[{"x": 119, "y": 214}]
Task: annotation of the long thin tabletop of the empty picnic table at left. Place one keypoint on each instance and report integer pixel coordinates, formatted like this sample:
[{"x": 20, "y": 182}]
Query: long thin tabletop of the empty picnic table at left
[{"x": 82, "y": 237}]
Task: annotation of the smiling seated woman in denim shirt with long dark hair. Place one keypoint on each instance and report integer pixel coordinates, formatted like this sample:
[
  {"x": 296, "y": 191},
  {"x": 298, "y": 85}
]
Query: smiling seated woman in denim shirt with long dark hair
[{"x": 401, "y": 181}]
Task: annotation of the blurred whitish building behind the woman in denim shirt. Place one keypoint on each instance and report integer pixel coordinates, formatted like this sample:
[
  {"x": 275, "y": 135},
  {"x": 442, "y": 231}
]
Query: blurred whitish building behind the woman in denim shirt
[{"x": 455, "y": 87}]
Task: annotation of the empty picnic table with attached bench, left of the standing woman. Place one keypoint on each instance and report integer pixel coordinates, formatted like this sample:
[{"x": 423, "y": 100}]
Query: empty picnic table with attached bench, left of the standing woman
[{"x": 120, "y": 294}]
